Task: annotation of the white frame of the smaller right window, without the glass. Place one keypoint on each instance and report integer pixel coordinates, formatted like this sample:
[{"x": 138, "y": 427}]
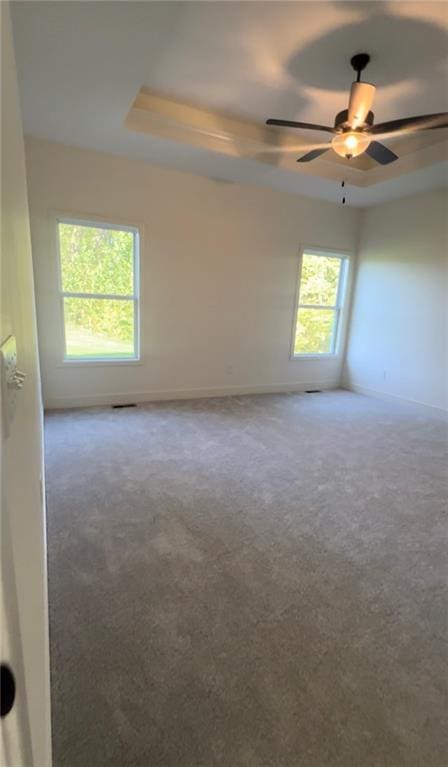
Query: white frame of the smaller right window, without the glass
[{"x": 339, "y": 308}]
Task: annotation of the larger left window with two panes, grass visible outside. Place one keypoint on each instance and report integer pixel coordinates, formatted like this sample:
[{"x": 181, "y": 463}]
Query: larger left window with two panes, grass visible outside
[{"x": 99, "y": 290}]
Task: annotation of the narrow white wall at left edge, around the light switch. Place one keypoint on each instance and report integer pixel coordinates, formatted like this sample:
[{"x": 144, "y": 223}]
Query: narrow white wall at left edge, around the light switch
[{"x": 24, "y": 617}]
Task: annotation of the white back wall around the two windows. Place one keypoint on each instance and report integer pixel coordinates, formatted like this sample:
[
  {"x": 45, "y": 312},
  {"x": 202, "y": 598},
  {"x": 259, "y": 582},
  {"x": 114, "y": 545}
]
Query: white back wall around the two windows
[{"x": 219, "y": 265}]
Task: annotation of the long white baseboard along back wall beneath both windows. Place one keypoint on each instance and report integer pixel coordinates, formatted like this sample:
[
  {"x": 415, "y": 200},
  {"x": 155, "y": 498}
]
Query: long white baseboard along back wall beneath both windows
[{"x": 61, "y": 403}]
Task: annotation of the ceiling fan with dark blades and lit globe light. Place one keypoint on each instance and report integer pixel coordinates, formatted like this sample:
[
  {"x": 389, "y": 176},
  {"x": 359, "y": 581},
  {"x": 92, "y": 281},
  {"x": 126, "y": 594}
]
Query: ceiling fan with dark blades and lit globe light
[{"x": 354, "y": 131}]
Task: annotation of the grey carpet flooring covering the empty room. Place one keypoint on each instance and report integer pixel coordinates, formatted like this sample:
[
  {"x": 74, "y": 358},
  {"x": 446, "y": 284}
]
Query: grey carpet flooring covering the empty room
[{"x": 252, "y": 581}]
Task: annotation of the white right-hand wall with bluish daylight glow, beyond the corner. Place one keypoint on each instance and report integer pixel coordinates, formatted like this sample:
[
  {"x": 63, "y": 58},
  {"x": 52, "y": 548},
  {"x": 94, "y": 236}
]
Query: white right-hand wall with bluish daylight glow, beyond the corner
[{"x": 398, "y": 342}]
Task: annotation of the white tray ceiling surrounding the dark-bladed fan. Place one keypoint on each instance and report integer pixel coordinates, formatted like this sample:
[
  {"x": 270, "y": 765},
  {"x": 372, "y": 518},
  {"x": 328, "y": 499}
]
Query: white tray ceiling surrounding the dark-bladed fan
[{"x": 82, "y": 65}]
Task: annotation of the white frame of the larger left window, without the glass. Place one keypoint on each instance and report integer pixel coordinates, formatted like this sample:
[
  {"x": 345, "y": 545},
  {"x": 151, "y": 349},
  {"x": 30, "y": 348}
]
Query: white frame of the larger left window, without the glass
[{"x": 135, "y": 297}]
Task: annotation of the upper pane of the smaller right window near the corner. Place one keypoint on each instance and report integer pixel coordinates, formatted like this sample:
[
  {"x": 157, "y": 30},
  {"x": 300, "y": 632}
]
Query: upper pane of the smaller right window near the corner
[{"x": 319, "y": 280}]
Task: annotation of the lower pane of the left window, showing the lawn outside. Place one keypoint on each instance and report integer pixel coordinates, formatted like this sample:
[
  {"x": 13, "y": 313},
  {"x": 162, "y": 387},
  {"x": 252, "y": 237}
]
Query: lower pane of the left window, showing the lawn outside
[{"x": 99, "y": 328}]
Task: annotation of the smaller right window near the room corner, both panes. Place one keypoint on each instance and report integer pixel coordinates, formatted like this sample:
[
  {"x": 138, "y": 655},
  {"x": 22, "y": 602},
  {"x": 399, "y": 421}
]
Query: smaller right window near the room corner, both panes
[{"x": 320, "y": 300}]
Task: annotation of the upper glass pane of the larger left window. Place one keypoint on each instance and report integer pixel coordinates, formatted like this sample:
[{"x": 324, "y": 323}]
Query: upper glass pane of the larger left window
[{"x": 96, "y": 260}]
